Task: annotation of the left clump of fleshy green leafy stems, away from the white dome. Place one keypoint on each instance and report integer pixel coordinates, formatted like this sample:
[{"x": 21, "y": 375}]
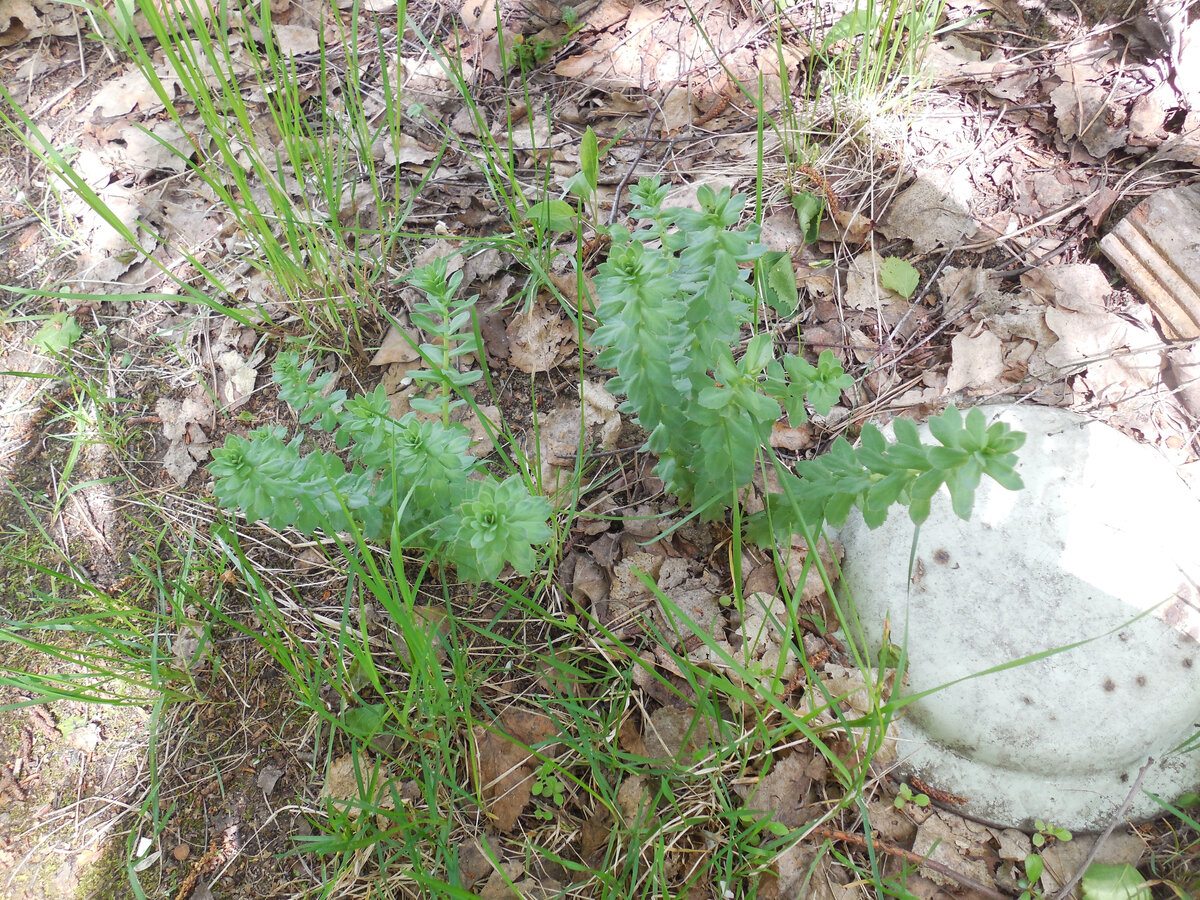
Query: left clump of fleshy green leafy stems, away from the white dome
[{"x": 409, "y": 481}]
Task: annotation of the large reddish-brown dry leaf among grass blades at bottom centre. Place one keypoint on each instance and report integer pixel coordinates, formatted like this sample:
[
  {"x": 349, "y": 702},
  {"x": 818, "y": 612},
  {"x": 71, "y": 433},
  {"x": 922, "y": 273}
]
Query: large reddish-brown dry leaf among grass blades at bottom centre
[{"x": 506, "y": 778}]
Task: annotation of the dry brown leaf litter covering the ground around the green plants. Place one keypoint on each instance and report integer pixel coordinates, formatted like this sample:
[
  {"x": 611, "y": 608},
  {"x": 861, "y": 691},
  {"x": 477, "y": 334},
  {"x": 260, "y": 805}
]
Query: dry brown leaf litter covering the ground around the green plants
[{"x": 944, "y": 249}]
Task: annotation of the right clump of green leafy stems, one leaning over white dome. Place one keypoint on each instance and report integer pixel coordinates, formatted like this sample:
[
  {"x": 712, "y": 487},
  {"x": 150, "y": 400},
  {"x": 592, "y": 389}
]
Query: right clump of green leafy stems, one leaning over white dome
[{"x": 675, "y": 298}]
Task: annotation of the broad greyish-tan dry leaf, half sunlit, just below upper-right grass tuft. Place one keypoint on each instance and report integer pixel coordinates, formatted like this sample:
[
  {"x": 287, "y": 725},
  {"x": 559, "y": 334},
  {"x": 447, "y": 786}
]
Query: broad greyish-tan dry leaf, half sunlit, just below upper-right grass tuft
[{"x": 934, "y": 212}]
